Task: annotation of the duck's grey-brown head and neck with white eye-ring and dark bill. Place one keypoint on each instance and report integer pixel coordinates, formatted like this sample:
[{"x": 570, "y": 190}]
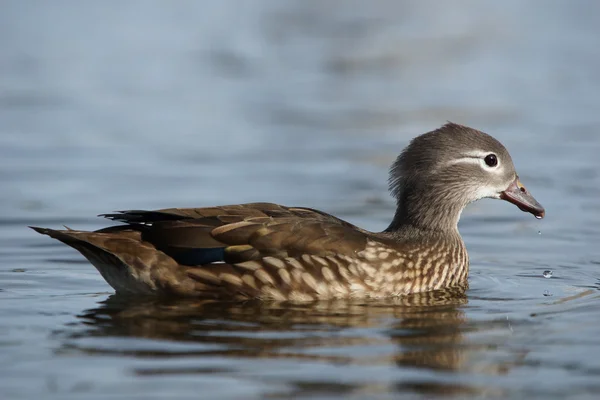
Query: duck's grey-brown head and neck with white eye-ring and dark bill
[{"x": 442, "y": 171}]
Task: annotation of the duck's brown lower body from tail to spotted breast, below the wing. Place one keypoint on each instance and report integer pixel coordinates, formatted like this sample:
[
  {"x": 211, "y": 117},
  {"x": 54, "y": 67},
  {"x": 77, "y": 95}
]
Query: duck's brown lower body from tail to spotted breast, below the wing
[{"x": 376, "y": 271}]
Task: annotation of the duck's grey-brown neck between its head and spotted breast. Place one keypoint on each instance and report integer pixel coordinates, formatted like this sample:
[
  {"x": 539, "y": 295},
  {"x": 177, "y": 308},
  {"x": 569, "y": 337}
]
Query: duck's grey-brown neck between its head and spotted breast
[{"x": 431, "y": 212}]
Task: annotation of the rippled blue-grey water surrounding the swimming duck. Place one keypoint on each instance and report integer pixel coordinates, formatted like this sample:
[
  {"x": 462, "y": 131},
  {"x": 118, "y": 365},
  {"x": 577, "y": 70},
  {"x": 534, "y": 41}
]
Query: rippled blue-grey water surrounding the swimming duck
[{"x": 120, "y": 105}]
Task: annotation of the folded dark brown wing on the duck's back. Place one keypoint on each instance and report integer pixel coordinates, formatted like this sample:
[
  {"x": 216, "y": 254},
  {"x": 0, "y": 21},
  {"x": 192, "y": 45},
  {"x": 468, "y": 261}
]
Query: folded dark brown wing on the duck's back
[{"x": 237, "y": 233}]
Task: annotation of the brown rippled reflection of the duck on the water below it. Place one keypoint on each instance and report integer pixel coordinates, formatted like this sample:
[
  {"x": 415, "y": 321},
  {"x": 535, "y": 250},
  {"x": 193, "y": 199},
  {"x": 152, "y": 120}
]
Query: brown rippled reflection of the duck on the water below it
[{"x": 425, "y": 331}]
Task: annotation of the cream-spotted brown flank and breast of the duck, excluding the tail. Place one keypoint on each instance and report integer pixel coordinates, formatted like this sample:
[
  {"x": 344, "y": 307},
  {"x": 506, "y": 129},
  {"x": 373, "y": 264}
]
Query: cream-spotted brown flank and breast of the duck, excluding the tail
[{"x": 375, "y": 272}]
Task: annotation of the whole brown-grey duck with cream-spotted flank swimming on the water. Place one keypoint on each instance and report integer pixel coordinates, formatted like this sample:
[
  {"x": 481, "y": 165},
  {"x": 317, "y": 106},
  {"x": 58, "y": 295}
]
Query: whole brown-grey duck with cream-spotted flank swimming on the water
[{"x": 266, "y": 251}]
